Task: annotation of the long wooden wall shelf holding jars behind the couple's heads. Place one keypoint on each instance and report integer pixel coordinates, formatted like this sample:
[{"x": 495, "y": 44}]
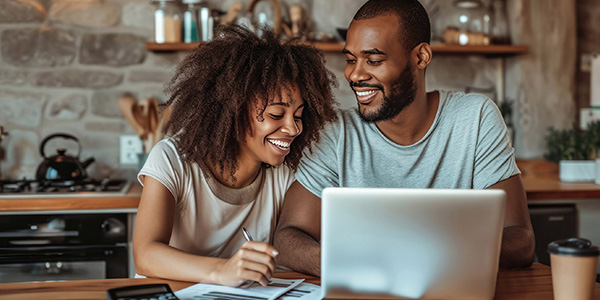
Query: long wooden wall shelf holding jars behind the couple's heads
[{"x": 337, "y": 47}]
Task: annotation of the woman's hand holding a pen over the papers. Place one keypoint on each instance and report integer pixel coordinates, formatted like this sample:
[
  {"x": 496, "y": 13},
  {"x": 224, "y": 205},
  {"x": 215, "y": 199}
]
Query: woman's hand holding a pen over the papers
[{"x": 254, "y": 261}]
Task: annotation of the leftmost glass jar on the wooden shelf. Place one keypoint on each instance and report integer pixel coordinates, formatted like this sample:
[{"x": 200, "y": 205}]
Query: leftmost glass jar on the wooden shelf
[{"x": 167, "y": 21}]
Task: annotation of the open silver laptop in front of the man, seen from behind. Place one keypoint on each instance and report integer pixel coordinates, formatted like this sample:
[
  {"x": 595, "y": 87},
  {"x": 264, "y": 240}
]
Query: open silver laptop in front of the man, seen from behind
[{"x": 412, "y": 243}]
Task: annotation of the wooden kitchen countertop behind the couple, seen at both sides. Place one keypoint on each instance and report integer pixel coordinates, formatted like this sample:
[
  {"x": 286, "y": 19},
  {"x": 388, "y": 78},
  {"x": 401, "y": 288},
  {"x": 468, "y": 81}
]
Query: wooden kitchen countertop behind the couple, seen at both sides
[{"x": 540, "y": 179}]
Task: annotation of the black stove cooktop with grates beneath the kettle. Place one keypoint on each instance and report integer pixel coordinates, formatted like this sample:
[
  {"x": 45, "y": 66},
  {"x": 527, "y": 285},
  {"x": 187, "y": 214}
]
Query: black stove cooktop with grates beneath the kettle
[{"x": 26, "y": 188}]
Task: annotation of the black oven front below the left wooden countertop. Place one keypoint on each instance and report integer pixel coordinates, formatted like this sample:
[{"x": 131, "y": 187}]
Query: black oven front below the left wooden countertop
[{"x": 42, "y": 247}]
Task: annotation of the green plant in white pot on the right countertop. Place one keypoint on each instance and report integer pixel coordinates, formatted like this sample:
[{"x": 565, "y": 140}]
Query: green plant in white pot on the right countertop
[{"x": 574, "y": 151}]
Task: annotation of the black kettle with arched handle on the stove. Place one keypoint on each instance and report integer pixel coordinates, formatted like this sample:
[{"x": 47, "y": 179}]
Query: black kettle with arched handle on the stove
[{"x": 62, "y": 166}]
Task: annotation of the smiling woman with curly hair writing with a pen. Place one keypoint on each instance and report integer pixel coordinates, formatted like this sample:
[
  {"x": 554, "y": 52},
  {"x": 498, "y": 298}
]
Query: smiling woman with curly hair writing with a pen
[{"x": 243, "y": 109}]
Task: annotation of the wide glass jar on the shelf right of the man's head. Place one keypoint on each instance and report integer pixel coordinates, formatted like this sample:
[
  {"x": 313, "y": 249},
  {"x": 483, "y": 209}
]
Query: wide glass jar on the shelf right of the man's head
[{"x": 468, "y": 22}]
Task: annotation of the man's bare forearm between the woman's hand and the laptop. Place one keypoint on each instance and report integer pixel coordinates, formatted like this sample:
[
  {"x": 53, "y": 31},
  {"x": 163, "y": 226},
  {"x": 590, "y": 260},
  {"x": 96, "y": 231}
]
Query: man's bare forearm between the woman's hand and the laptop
[{"x": 298, "y": 251}]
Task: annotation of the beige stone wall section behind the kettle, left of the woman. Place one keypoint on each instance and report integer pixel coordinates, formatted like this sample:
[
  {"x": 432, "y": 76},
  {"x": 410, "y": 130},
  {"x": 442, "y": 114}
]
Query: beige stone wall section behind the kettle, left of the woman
[{"x": 63, "y": 65}]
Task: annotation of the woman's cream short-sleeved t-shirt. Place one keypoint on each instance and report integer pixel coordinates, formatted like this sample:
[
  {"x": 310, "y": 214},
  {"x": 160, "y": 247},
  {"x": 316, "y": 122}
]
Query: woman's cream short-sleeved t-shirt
[{"x": 208, "y": 222}]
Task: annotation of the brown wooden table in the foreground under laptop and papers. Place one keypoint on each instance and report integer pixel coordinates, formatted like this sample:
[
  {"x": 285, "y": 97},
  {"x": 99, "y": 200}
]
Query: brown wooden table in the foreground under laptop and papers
[{"x": 528, "y": 283}]
